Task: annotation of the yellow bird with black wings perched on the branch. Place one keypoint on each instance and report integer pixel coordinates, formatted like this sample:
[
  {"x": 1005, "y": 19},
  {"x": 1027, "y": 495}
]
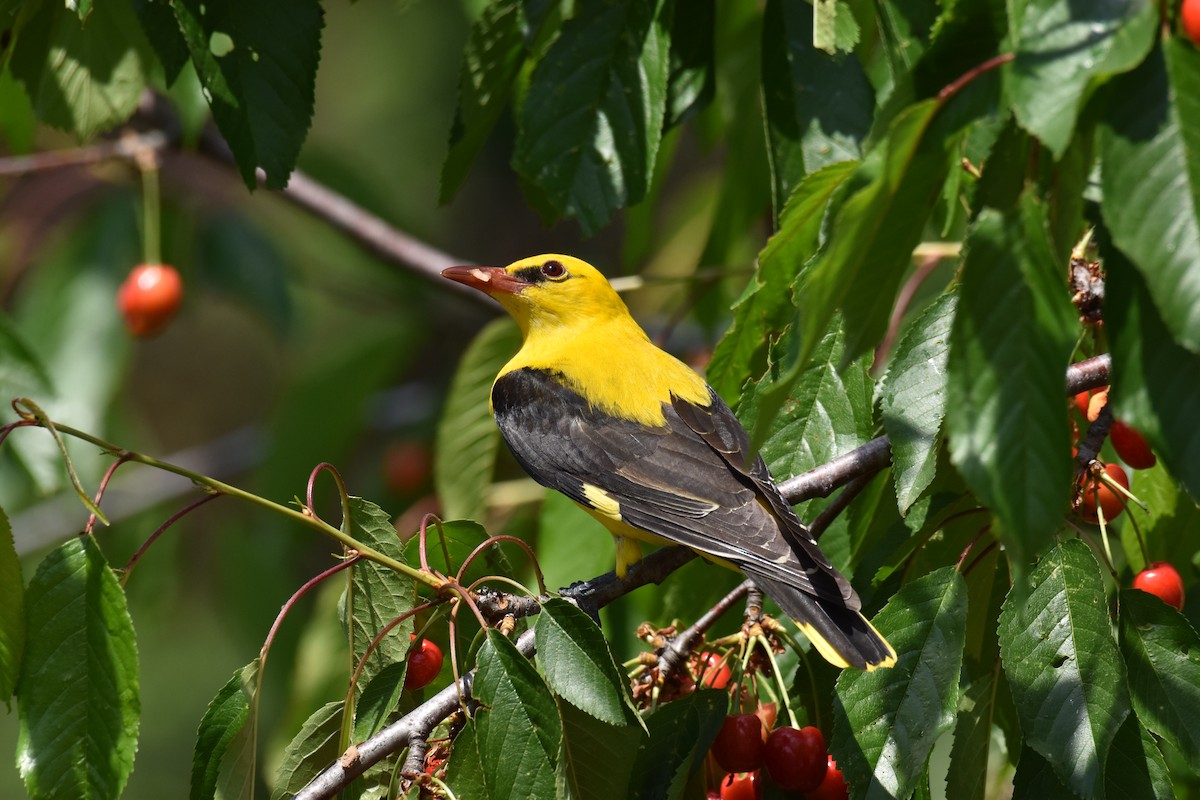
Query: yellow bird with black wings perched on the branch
[{"x": 592, "y": 408}]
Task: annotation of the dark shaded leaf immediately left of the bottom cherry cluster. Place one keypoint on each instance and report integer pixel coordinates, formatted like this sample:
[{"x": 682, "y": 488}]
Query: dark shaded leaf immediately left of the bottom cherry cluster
[{"x": 681, "y": 735}]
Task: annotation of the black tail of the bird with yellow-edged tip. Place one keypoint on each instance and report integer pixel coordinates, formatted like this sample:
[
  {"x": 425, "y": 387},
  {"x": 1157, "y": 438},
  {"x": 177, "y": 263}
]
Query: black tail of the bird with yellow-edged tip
[{"x": 843, "y": 636}]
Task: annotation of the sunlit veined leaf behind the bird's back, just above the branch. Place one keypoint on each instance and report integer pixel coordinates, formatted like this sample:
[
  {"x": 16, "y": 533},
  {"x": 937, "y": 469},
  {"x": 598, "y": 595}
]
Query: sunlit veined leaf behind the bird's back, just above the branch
[{"x": 826, "y": 414}]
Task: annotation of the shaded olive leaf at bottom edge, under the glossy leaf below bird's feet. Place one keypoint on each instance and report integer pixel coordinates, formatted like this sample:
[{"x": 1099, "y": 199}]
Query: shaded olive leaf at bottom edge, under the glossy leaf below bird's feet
[{"x": 597, "y": 757}]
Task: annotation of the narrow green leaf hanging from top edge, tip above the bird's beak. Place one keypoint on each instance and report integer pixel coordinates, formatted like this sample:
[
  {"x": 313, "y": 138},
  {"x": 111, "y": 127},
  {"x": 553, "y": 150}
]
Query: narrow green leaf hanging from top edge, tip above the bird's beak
[{"x": 495, "y": 55}]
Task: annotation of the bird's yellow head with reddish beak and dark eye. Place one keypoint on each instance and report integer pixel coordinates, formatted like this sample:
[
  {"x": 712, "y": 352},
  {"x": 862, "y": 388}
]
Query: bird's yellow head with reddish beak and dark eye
[{"x": 545, "y": 292}]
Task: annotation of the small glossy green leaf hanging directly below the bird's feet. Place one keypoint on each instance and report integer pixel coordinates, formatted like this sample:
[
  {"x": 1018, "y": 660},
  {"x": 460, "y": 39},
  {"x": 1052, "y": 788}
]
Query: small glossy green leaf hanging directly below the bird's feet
[{"x": 579, "y": 666}]
